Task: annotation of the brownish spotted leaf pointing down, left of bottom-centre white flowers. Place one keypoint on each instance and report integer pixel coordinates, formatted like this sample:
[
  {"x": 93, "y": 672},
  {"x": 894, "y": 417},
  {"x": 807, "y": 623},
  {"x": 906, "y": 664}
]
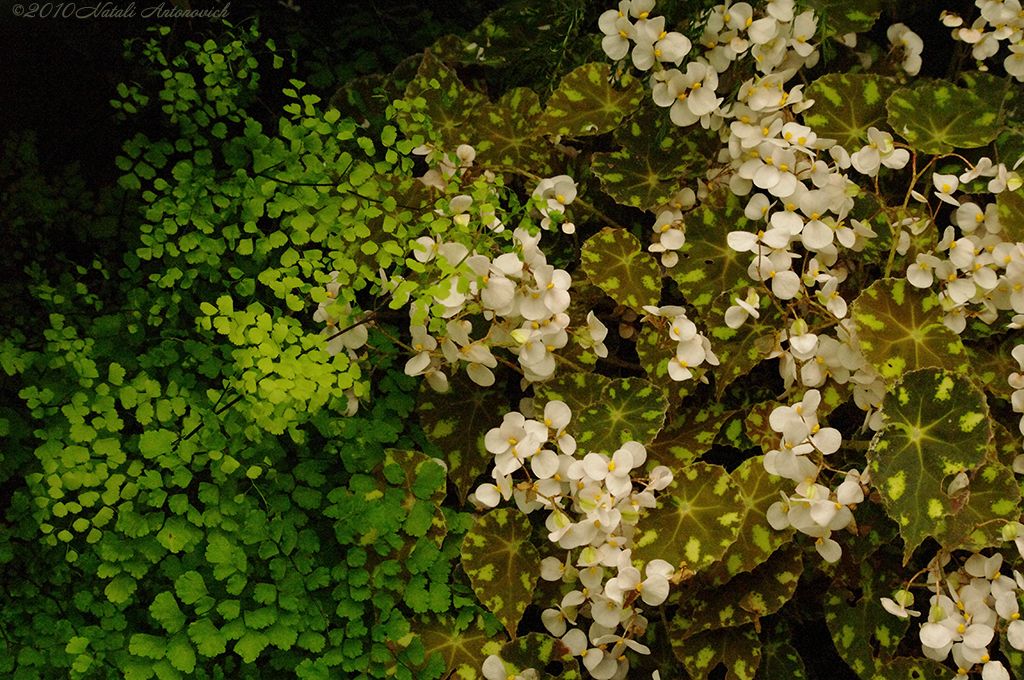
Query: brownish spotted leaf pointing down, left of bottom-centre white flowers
[{"x": 502, "y": 565}]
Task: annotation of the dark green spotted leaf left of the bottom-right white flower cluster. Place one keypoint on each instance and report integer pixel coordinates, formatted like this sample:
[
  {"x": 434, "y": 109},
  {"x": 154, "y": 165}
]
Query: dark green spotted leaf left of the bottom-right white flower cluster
[{"x": 861, "y": 627}]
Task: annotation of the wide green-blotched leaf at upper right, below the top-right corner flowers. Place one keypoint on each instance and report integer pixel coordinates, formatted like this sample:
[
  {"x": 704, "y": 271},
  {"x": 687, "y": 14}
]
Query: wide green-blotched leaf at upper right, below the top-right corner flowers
[{"x": 938, "y": 117}]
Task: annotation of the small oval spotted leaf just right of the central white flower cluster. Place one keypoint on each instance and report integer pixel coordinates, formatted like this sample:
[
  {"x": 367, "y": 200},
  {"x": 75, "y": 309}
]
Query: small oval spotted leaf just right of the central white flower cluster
[{"x": 616, "y": 262}]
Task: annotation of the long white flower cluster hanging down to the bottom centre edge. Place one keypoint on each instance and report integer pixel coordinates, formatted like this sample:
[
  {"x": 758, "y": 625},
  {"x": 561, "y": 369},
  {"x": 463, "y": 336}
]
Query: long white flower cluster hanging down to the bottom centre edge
[{"x": 593, "y": 509}]
